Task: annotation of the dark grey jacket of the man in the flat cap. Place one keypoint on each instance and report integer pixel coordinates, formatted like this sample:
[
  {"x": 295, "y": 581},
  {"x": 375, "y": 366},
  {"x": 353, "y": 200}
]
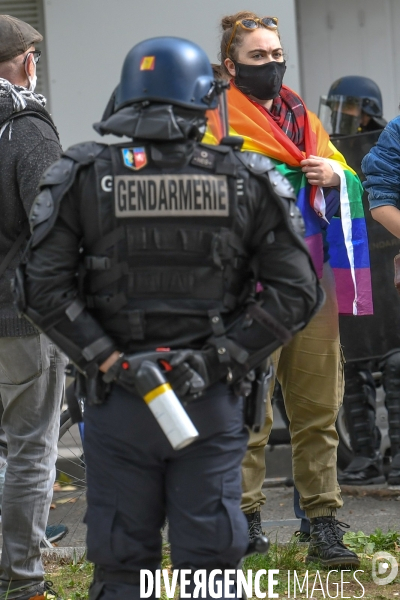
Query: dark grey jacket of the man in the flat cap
[{"x": 25, "y": 152}]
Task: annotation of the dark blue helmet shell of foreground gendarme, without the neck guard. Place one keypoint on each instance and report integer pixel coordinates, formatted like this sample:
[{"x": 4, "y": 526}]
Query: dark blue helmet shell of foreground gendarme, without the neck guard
[{"x": 167, "y": 70}]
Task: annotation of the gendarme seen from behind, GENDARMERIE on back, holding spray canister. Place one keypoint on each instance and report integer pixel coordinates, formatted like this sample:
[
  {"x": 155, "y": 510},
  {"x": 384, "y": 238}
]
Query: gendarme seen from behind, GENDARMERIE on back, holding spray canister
[{"x": 142, "y": 265}]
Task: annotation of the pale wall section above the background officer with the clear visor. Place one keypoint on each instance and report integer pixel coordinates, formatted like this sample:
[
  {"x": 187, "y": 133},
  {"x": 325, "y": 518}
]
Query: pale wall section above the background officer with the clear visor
[{"x": 350, "y": 37}]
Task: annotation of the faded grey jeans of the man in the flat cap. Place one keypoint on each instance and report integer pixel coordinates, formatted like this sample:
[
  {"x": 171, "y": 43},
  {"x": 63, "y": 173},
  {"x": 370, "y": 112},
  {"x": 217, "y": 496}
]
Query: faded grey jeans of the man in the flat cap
[{"x": 31, "y": 389}]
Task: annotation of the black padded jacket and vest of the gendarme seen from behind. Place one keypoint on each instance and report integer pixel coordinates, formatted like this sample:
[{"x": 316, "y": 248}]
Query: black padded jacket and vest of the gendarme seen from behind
[{"x": 156, "y": 288}]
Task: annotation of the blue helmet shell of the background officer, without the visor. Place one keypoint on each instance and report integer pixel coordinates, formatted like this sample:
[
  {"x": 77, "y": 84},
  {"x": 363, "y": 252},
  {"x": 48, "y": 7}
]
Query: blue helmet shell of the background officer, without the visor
[{"x": 363, "y": 88}]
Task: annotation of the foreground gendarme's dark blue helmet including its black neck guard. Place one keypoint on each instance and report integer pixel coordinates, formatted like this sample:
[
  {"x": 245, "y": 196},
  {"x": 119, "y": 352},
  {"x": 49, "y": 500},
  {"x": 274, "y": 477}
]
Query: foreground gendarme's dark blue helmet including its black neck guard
[{"x": 168, "y": 89}]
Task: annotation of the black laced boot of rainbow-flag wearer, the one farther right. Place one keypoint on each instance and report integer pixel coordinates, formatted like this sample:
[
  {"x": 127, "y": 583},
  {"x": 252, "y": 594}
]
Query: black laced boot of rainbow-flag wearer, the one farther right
[{"x": 327, "y": 547}]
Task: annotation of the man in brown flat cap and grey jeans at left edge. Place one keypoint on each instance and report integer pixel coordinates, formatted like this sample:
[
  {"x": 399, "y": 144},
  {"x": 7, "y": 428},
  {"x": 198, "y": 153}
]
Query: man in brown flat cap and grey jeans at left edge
[{"x": 31, "y": 367}]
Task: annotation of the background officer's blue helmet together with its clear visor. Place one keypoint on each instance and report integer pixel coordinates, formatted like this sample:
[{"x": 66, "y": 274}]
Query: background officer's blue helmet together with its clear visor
[{"x": 348, "y": 99}]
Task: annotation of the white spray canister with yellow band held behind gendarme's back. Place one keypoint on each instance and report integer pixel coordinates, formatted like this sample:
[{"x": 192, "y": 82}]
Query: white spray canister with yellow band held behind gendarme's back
[{"x": 165, "y": 406}]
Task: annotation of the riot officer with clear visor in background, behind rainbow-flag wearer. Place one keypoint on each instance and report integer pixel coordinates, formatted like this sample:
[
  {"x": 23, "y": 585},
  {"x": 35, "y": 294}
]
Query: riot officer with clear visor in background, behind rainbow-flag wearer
[{"x": 370, "y": 343}]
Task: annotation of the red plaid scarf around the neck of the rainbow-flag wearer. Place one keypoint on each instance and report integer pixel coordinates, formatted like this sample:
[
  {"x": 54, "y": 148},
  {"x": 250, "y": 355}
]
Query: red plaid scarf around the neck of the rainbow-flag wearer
[{"x": 288, "y": 111}]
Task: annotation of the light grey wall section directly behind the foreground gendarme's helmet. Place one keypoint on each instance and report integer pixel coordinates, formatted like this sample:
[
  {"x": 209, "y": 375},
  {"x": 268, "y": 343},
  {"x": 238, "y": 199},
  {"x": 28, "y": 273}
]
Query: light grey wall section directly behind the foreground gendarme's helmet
[{"x": 87, "y": 40}]
